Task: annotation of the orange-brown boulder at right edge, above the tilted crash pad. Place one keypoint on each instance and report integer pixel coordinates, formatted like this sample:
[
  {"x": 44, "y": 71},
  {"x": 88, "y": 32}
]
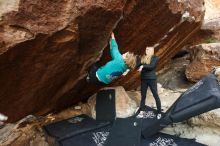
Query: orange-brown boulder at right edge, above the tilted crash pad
[{"x": 203, "y": 58}]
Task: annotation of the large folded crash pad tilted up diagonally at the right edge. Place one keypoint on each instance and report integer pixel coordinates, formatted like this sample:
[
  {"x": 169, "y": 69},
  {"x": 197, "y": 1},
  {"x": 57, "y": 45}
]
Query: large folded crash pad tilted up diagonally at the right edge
[{"x": 200, "y": 98}]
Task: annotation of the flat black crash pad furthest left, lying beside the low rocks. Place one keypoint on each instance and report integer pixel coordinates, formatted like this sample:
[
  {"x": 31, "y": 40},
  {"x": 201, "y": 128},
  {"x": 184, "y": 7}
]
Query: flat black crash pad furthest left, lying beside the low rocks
[{"x": 70, "y": 127}]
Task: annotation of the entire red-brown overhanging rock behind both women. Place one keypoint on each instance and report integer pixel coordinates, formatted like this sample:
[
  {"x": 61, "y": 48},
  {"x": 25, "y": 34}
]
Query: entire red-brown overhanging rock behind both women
[{"x": 46, "y": 47}]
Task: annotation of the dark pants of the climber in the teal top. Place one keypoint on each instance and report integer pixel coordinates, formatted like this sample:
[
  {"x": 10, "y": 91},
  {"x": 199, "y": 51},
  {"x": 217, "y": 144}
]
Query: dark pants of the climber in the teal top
[{"x": 92, "y": 75}]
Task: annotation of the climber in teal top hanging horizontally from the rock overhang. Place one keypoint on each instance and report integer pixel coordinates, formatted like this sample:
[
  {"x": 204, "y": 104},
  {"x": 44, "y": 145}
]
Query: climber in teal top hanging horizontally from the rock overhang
[{"x": 119, "y": 65}]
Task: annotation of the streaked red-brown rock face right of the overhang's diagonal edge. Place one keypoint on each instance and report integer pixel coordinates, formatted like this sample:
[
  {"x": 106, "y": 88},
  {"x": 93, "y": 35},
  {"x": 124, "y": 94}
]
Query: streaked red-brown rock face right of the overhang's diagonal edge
[{"x": 148, "y": 25}]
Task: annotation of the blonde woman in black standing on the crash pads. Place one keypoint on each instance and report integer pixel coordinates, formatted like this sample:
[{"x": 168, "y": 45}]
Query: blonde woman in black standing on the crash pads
[{"x": 149, "y": 79}]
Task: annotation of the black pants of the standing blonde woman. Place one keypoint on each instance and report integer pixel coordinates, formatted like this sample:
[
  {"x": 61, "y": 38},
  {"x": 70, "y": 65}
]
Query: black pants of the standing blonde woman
[{"x": 152, "y": 83}]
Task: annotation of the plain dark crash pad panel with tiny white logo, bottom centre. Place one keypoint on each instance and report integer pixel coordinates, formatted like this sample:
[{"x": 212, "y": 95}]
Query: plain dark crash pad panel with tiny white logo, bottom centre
[{"x": 125, "y": 132}]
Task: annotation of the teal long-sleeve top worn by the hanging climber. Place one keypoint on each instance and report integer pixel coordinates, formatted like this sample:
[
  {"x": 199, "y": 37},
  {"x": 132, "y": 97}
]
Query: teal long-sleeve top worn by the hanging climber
[{"x": 114, "y": 68}]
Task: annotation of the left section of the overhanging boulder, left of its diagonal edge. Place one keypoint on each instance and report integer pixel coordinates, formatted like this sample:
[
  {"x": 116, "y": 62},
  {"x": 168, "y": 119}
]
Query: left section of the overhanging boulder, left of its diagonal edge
[{"x": 46, "y": 48}]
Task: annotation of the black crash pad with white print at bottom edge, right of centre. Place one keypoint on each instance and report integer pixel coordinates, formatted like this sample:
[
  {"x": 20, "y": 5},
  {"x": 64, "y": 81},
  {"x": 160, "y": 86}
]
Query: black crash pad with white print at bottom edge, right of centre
[{"x": 161, "y": 139}]
